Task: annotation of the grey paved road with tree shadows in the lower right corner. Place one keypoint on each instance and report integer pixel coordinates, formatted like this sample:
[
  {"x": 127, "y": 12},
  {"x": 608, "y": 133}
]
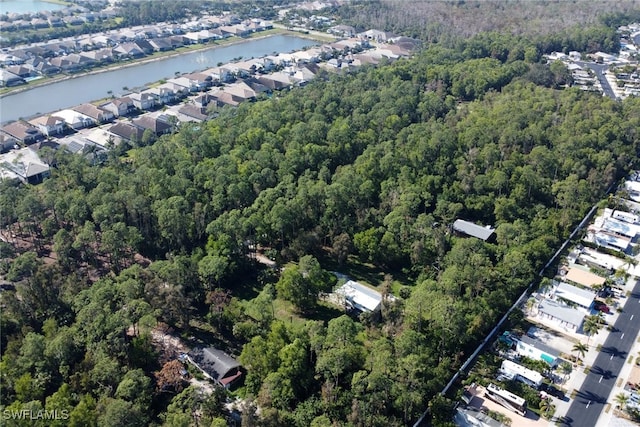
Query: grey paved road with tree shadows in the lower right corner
[{"x": 595, "y": 390}]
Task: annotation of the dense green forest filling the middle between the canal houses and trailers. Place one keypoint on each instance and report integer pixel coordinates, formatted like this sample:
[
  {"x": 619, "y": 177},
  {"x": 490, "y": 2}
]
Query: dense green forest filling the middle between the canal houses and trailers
[{"x": 364, "y": 171}]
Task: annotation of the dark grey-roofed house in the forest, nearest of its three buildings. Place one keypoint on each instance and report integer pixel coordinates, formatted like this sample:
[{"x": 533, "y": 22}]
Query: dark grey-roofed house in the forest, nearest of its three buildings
[{"x": 216, "y": 365}]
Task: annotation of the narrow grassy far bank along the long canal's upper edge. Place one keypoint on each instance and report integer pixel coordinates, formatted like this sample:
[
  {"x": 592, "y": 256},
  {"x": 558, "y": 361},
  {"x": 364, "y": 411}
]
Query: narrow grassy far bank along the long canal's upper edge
[{"x": 134, "y": 63}]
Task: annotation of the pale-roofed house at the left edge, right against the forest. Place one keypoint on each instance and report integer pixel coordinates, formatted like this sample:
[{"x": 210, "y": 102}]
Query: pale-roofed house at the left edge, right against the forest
[{"x": 24, "y": 165}]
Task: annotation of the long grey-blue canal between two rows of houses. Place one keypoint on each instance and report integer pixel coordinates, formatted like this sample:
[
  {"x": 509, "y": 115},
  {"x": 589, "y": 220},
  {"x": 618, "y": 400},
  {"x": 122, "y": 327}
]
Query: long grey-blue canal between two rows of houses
[{"x": 81, "y": 89}]
